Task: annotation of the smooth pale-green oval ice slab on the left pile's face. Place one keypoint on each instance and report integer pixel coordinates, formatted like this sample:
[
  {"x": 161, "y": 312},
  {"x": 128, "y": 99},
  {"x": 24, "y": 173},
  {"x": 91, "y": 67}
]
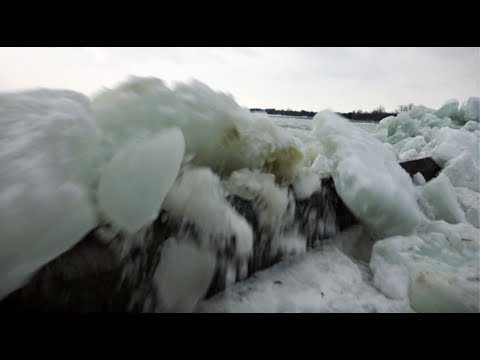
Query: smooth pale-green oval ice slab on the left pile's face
[{"x": 135, "y": 182}]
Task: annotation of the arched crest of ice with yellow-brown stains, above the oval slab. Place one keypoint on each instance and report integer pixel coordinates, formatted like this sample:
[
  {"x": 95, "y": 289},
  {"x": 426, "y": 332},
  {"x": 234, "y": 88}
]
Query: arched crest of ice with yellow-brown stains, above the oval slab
[{"x": 220, "y": 133}]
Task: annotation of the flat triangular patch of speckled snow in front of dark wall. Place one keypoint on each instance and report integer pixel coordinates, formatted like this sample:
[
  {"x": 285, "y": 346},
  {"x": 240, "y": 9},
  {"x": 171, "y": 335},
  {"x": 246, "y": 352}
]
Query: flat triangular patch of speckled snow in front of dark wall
[{"x": 319, "y": 281}]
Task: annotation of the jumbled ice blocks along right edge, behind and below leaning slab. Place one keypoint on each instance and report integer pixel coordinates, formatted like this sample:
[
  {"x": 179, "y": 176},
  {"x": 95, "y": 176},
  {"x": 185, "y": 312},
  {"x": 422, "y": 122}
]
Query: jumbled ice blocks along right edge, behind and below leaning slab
[{"x": 438, "y": 267}]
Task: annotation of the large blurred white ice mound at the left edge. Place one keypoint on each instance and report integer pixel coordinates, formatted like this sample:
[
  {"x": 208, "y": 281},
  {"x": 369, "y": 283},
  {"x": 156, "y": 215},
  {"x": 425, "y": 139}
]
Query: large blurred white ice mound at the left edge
[{"x": 47, "y": 144}]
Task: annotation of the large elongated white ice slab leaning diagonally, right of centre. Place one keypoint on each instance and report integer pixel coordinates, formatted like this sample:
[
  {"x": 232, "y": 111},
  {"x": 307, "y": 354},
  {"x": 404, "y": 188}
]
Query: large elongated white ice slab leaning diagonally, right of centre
[{"x": 367, "y": 176}]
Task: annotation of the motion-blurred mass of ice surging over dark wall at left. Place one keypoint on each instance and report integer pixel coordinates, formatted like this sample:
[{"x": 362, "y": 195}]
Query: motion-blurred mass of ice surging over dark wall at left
[{"x": 70, "y": 164}]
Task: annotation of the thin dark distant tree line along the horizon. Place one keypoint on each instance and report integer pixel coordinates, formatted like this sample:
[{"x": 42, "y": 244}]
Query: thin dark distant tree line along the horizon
[{"x": 376, "y": 114}]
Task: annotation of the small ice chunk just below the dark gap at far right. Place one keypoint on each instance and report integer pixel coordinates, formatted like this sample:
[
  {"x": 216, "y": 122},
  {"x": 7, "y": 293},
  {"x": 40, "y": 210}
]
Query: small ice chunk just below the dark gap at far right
[{"x": 439, "y": 201}]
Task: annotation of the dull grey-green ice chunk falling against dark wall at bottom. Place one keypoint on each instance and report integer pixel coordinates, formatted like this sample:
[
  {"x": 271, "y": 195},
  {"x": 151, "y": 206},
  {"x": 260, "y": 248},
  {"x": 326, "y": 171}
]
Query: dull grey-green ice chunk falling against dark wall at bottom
[{"x": 183, "y": 275}]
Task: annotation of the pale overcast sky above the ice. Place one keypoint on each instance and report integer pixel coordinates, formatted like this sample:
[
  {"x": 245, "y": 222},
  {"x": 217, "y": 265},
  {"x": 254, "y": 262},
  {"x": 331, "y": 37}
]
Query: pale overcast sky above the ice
[{"x": 341, "y": 79}]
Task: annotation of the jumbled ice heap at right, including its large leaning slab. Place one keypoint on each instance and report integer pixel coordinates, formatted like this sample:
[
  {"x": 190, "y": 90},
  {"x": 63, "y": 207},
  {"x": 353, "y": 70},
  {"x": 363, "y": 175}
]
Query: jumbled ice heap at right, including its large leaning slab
[{"x": 434, "y": 258}]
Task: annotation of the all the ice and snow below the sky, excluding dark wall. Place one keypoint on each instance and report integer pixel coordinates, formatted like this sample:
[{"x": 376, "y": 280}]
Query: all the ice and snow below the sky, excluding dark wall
[{"x": 70, "y": 163}]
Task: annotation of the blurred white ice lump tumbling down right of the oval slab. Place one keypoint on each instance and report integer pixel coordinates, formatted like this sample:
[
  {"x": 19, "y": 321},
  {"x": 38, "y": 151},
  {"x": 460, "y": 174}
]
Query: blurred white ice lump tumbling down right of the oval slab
[{"x": 197, "y": 196}]
